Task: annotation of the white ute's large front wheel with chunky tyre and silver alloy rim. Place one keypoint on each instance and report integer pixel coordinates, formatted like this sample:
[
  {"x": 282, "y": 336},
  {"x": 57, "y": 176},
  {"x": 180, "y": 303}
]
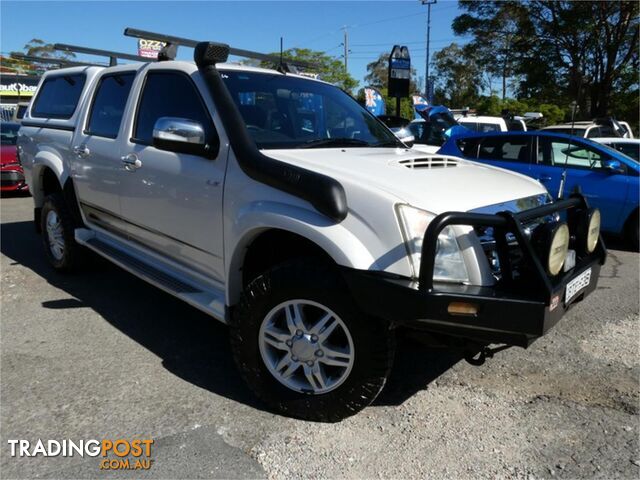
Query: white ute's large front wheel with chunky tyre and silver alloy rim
[{"x": 329, "y": 367}]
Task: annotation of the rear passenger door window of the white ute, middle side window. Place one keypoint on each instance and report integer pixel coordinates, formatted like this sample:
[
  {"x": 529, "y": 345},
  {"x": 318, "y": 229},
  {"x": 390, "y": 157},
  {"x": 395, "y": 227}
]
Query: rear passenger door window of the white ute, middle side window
[{"x": 109, "y": 104}]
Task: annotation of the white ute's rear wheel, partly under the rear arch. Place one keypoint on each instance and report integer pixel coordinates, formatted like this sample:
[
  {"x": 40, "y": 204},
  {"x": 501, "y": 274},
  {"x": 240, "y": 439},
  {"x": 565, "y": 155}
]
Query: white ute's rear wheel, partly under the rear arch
[{"x": 57, "y": 225}]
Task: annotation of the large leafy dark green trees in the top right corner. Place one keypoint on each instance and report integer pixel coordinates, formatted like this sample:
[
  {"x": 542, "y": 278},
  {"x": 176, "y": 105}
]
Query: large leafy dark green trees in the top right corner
[{"x": 559, "y": 51}]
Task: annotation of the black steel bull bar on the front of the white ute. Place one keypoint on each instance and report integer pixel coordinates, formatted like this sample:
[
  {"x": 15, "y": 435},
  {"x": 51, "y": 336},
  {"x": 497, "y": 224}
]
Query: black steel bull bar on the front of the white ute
[{"x": 513, "y": 313}]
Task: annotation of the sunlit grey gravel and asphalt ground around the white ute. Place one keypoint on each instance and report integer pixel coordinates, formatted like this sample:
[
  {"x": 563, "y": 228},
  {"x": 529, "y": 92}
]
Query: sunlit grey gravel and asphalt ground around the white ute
[{"x": 102, "y": 354}]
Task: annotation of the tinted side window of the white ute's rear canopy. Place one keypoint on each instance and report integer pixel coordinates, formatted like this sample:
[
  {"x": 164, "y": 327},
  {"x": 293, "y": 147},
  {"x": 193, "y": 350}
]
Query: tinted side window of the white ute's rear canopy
[{"x": 58, "y": 96}]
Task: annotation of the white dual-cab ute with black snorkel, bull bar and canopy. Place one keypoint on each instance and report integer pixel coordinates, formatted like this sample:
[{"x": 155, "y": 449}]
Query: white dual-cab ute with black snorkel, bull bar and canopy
[{"x": 278, "y": 205}]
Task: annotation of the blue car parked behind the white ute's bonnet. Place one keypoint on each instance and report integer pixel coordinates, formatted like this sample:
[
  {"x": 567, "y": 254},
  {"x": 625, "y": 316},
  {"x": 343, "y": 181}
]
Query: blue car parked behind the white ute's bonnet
[{"x": 607, "y": 177}]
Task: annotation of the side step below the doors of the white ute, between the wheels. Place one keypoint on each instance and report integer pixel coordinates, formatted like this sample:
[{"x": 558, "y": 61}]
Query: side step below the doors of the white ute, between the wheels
[{"x": 203, "y": 299}]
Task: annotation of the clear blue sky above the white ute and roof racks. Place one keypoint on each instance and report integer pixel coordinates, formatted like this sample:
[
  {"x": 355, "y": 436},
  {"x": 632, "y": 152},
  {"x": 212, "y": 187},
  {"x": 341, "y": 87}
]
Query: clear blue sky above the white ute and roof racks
[{"x": 373, "y": 26}]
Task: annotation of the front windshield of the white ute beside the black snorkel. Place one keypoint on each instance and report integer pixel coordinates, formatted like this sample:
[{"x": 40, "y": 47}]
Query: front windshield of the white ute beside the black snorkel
[{"x": 282, "y": 111}]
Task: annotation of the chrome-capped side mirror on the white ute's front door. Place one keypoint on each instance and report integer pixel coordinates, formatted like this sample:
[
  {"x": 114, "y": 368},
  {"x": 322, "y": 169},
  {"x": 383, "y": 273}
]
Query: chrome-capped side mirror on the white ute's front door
[{"x": 179, "y": 135}]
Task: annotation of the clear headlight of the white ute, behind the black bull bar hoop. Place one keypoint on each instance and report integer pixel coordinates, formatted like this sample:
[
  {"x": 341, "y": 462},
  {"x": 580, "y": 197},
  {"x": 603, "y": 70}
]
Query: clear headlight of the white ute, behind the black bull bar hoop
[{"x": 449, "y": 264}]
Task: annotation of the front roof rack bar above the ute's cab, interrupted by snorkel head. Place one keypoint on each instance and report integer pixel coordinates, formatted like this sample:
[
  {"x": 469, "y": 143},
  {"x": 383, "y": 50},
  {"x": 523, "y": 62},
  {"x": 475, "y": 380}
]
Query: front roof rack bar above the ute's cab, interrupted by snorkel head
[{"x": 169, "y": 52}]
